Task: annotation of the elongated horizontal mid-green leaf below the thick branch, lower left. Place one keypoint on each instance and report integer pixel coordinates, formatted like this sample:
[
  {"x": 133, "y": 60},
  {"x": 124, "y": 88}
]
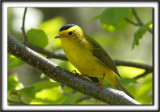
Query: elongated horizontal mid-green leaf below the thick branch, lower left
[{"x": 45, "y": 84}]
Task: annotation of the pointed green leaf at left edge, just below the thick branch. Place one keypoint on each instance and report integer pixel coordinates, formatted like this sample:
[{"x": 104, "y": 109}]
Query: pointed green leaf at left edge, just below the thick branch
[{"x": 13, "y": 62}]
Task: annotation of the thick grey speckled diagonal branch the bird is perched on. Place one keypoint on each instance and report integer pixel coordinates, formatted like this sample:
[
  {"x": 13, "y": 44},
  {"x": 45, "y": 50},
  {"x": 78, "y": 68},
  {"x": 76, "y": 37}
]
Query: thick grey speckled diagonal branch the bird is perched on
[{"x": 65, "y": 77}]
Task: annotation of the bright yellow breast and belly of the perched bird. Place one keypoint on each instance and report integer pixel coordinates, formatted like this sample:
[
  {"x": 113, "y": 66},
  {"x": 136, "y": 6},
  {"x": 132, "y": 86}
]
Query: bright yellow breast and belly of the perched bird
[{"x": 80, "y": 55}]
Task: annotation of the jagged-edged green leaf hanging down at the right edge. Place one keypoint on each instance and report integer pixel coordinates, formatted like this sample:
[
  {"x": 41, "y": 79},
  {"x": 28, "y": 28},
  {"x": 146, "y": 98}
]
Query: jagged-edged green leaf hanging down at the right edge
[{"x": 139, "y": 33}]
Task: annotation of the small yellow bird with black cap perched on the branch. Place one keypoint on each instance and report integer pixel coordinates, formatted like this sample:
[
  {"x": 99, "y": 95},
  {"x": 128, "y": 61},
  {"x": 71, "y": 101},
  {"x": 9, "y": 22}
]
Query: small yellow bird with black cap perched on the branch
[{"x": 88, "y": 56}]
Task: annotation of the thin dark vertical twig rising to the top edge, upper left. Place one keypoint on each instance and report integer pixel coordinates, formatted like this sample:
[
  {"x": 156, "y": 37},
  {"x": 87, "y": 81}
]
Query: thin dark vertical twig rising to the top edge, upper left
[{"x": 23, "y": 25}]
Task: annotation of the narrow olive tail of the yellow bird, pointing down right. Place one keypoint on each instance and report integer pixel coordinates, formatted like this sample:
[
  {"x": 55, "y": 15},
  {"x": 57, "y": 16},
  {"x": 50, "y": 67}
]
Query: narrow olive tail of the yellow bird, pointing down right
[{"x": 119, "y": 86}]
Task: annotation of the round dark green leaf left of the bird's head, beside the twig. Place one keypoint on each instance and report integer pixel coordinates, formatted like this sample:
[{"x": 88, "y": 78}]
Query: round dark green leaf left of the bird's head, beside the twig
[{"x": 37, "y": 37}]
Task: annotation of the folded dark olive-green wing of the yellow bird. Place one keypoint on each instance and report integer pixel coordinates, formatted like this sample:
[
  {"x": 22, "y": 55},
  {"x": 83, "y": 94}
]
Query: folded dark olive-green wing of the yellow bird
[{"x": 102, "y": 55}]
